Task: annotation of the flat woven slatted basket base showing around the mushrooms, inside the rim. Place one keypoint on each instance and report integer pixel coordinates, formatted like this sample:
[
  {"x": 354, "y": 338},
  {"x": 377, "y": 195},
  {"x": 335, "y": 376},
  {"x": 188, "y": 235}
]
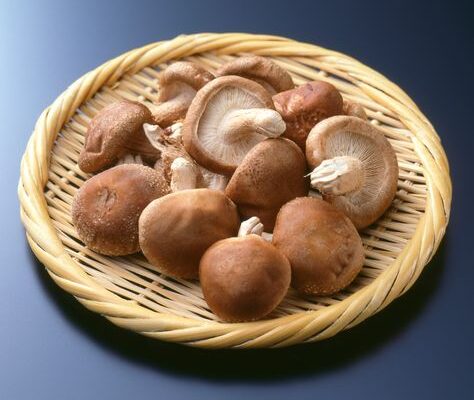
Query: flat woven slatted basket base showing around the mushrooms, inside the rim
[{"x": 134, "y": 279}]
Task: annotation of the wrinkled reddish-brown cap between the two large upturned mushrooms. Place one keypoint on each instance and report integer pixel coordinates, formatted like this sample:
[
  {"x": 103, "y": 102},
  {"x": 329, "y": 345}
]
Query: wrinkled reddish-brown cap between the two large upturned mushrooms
[{"x": 303, "y": 107}]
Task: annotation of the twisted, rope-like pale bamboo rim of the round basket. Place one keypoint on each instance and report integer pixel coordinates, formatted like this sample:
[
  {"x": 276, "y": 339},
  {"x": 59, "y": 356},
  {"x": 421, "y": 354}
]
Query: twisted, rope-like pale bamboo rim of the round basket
[{"x": 281, "y": 331}]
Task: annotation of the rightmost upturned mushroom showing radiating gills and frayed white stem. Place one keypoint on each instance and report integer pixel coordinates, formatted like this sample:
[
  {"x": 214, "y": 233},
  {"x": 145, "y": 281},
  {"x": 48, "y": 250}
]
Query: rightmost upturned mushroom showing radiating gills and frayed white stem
[{"x": 354, "y": 167}]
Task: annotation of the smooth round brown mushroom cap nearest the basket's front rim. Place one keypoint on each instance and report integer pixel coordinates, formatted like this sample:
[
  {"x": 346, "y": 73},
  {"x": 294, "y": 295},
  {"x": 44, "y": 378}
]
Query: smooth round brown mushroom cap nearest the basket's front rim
[{"x": 244, "y": 278}]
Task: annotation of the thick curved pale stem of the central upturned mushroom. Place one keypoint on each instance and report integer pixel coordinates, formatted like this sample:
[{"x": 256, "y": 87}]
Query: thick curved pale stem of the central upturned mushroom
[{"x": 238, "y": 123}]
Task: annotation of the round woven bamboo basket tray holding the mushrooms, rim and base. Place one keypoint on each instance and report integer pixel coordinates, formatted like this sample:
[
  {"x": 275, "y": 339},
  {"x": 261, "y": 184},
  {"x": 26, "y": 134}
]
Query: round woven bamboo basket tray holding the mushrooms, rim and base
[{"x": 131, "y": 294}]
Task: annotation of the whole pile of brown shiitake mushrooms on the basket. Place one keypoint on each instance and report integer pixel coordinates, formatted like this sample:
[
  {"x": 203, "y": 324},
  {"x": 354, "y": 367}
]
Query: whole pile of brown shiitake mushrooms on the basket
[{"x": 212, "y": 183}]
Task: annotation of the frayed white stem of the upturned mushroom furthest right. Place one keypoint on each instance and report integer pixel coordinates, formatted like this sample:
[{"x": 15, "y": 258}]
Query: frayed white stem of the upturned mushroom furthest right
[{"x": 338, "y": 176}]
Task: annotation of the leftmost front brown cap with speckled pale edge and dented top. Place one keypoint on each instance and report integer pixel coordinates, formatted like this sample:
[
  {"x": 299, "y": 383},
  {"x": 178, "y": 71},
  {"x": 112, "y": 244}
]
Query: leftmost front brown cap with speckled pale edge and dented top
[{"x": 105, "y": 210}]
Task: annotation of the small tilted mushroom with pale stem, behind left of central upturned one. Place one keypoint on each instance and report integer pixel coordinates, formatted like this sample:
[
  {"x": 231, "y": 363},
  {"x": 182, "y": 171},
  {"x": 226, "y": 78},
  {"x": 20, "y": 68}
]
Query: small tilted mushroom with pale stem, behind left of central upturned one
[{"x": 178, "y": 85}]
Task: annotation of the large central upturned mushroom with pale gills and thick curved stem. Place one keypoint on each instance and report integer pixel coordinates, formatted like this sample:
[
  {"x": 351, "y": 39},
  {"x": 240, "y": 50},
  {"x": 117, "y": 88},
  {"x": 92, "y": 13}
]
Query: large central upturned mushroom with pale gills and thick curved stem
[{"x": 228, "y": 117}]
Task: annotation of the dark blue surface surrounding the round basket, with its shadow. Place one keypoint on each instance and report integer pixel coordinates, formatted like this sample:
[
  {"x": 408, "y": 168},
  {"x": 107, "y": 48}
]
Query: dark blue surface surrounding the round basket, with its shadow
[{"x": 420, "y": 347}]
